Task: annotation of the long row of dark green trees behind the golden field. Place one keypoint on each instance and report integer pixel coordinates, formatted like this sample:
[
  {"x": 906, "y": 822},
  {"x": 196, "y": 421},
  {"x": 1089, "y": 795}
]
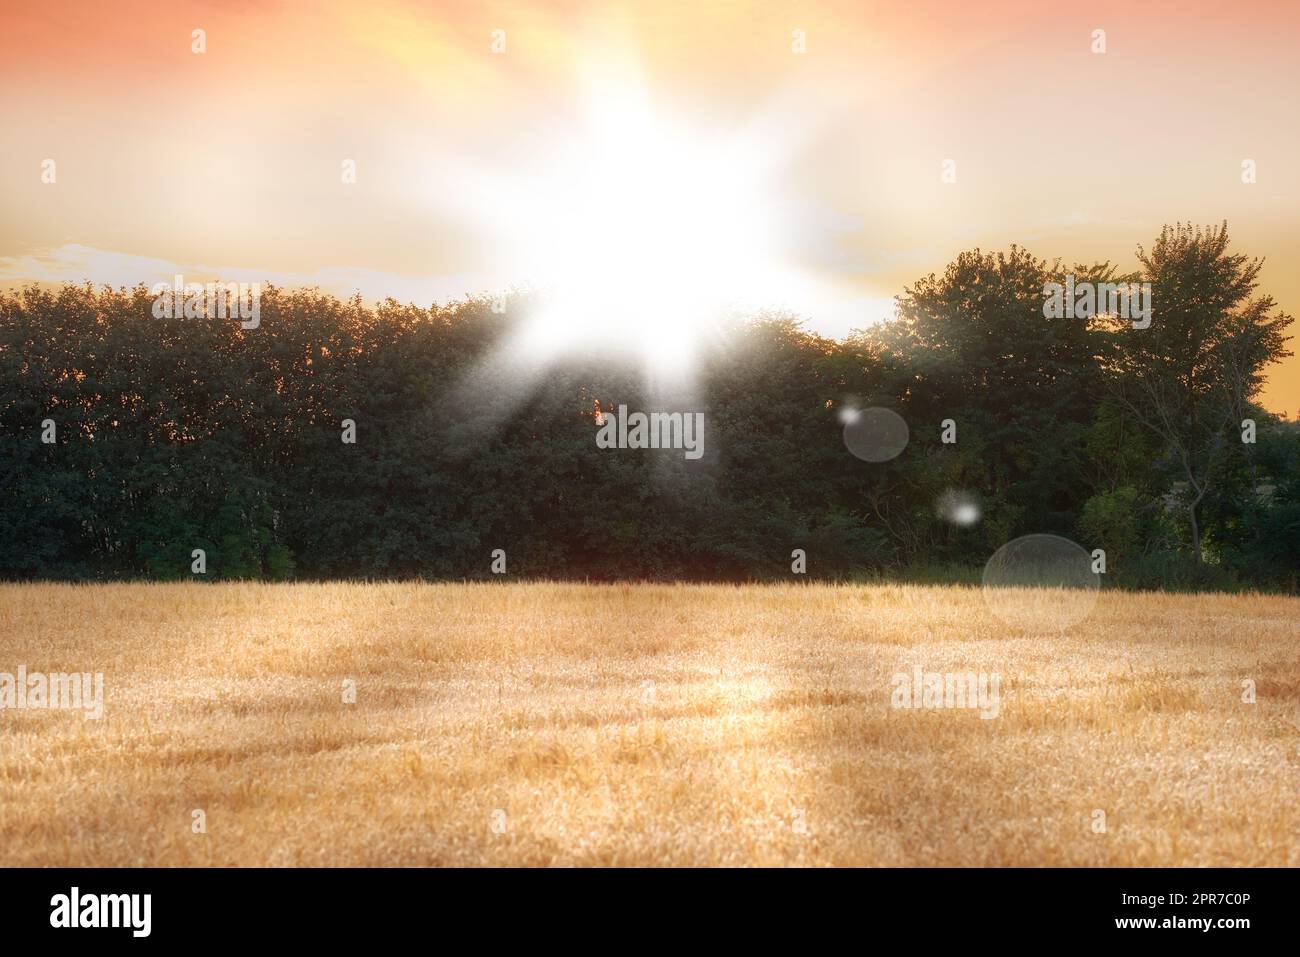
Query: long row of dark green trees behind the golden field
[{"x": 179, "y": 434}]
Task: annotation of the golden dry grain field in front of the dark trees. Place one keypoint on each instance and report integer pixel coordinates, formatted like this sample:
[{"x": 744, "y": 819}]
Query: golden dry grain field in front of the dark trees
[{"x": 769, "y": 705}]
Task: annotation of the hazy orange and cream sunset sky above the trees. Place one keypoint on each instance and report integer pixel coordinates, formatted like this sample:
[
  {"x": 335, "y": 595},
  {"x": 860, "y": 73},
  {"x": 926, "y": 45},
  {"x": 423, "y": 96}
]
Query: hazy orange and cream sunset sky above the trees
[{"x": 474, "y": 128}]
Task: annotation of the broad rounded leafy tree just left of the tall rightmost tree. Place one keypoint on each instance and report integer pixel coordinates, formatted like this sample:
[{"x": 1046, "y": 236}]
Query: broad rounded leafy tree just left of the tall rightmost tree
[{"x": 974, "y": 345}]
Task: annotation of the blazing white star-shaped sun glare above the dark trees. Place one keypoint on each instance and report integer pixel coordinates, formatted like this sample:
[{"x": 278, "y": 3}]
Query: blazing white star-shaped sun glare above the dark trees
[{"x": 640, "y": 229}]
